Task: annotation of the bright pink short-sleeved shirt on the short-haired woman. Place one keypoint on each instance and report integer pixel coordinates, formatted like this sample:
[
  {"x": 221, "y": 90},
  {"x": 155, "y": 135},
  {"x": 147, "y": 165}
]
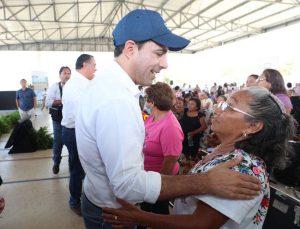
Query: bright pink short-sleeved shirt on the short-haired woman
[{"x": 163, "y": 138}]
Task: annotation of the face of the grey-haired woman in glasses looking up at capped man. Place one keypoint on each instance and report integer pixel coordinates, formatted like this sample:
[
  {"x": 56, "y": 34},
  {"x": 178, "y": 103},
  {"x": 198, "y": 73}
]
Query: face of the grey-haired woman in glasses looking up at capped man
[{"x": 231, "y": 123}]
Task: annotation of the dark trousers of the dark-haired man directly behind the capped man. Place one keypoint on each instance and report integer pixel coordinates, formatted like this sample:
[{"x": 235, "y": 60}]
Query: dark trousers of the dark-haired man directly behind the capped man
[{"x": 75, "y": 168}]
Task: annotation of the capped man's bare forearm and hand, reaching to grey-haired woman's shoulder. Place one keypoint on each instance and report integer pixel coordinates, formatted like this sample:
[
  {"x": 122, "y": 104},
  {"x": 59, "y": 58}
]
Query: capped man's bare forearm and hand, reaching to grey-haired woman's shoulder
[{"x": 220, "y": 181}]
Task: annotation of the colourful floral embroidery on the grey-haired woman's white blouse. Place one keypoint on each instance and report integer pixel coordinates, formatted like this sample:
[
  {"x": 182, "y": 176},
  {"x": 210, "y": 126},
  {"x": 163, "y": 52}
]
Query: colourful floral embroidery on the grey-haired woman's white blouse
[{"x": 251, "y": 165}]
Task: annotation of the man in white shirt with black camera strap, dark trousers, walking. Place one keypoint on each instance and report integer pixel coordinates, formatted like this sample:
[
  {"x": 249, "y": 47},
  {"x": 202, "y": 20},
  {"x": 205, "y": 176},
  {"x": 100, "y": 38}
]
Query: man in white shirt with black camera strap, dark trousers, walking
[{"x": 53, "y": 102}]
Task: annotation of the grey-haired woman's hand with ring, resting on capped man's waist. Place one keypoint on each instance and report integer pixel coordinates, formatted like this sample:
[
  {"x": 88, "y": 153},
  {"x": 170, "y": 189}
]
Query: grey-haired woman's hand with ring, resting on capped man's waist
[{"x": 123, "y": 217}]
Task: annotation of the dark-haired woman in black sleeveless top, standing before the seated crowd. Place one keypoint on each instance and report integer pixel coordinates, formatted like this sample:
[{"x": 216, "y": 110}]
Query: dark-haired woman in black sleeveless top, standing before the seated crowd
[{"x": 193, "y": 124}]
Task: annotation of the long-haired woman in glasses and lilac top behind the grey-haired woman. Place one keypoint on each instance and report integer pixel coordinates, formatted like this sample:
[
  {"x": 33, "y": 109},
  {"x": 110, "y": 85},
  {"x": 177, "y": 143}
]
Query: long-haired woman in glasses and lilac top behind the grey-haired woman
[{"x": 274, "y": 82}]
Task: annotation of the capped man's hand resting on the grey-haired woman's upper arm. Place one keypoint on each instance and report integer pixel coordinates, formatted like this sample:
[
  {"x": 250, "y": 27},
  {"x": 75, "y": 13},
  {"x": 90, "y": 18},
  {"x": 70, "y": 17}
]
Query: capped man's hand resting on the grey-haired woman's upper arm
[{"x": 224, "y": 182}]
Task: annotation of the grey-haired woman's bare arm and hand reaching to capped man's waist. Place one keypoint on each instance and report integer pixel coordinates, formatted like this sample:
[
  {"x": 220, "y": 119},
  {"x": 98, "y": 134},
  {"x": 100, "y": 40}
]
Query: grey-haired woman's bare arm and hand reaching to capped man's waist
[{"x": 204, "y": 217}]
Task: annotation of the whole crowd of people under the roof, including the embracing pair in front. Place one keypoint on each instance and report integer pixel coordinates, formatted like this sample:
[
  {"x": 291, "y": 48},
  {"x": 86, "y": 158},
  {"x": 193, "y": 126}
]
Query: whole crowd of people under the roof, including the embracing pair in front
[{"x": 130, "y": 145}]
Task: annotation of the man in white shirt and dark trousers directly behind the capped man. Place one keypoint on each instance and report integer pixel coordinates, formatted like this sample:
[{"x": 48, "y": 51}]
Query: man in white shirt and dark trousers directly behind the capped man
[{"x": 72, "y": 93}]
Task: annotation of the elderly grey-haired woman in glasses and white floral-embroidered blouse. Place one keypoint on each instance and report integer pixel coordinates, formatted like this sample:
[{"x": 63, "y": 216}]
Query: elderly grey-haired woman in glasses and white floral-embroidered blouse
[{"x": 260, "y": 135}]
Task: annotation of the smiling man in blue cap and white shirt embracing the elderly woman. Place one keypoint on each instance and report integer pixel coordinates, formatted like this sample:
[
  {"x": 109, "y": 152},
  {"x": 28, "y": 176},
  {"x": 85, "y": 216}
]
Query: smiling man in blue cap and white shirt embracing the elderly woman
[{"x": 110, "y": 131}]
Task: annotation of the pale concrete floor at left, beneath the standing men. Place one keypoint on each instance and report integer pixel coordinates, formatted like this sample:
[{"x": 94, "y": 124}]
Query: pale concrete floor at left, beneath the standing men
[{"x": 35, "y": 198}]
